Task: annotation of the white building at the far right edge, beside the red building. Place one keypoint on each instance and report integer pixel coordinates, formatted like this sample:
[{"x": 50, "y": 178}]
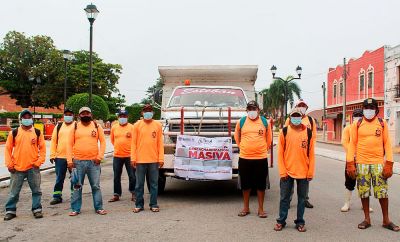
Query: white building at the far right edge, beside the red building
[{"x": 392, "y": 92}]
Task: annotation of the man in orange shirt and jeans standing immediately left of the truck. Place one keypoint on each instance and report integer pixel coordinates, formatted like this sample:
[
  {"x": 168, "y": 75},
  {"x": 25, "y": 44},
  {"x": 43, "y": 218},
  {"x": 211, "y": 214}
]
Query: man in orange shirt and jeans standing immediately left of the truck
[{"x": 147, "y": 156}]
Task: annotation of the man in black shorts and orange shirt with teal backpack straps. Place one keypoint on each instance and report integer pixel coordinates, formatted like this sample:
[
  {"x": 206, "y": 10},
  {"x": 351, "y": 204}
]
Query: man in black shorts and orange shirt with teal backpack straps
[{"x": 254, "y": 140}]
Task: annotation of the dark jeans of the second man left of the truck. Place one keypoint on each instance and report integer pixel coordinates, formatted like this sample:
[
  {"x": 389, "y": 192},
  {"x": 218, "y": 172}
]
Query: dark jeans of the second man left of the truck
[{"x": 118, "y": 164}]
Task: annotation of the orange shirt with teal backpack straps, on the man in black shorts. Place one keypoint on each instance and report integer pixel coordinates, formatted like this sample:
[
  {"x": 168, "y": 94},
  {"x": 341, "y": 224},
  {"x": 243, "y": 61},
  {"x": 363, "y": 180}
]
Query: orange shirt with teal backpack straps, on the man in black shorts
[{"x": 254, "y": 140}]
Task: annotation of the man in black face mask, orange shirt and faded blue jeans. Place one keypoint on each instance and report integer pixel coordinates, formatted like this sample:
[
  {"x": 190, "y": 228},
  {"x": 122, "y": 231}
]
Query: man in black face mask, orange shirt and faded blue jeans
[{"x": 84, "y": 154}]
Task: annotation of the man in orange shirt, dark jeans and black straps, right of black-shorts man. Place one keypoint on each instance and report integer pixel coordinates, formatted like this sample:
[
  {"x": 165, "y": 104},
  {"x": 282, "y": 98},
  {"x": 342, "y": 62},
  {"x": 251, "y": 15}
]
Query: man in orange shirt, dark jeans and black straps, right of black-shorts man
[{"x": 296, "y": 161}]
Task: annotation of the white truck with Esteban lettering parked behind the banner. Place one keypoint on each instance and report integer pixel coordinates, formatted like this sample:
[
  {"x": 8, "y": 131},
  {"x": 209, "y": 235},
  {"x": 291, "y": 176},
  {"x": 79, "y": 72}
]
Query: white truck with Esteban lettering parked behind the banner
[{"x": 203, "y": 101}]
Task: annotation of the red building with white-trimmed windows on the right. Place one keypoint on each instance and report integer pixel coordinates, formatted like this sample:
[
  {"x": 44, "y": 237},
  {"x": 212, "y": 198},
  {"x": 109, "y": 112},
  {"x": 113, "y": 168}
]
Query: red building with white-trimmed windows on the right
[{"x": 365, "y": 78}]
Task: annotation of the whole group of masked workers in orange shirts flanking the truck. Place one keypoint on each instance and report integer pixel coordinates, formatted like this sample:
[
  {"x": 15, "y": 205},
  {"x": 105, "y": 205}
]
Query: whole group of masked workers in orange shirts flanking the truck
[{"x": 139, "y": 147}]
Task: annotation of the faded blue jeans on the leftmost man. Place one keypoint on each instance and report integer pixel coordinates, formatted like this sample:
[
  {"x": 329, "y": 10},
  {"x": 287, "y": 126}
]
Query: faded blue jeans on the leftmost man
[{"x": 16, "y": 182}]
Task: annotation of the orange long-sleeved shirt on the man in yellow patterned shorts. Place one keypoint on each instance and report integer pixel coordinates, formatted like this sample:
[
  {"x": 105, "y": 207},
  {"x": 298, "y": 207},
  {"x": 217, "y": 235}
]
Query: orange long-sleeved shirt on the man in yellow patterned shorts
[{"x": 371, "y": 143}]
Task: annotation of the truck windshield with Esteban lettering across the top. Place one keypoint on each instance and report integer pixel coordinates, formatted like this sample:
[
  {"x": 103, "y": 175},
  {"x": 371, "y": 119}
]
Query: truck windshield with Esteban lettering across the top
[{"x": 209, "y": 97}]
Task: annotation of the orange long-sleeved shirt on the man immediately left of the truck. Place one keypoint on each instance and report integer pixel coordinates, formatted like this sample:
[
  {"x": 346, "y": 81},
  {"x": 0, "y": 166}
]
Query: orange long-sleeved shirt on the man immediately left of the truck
[{"x": 147, "y": 142}]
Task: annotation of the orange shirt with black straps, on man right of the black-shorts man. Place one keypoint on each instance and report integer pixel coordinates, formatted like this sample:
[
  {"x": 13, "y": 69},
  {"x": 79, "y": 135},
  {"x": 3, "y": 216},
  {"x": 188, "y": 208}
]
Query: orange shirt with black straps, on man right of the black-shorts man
[{"x": 292, "y": 156}]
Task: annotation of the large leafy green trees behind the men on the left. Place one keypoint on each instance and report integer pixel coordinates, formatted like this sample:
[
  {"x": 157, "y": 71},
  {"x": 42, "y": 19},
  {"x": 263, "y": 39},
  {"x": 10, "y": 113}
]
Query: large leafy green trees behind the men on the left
[{"x": 32, "y": 72}]
